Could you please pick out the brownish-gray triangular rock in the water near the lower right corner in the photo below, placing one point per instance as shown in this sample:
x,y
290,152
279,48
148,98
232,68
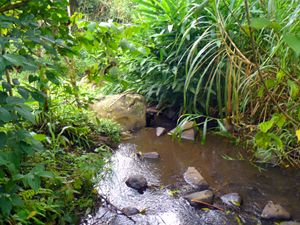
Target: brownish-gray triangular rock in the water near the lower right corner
x,y
274,211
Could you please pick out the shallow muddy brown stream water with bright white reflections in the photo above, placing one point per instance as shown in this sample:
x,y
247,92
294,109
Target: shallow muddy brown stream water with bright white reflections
x,y
165,174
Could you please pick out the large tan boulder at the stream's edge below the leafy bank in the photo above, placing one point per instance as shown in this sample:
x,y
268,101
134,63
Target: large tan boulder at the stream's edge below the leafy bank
x,y
129,110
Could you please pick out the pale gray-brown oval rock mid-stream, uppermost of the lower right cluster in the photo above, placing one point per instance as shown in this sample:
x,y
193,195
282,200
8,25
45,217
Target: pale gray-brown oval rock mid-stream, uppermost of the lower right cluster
x,y
194,178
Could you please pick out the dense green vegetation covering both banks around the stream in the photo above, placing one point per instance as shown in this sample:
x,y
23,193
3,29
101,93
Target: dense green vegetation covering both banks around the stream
x,y
235,61
